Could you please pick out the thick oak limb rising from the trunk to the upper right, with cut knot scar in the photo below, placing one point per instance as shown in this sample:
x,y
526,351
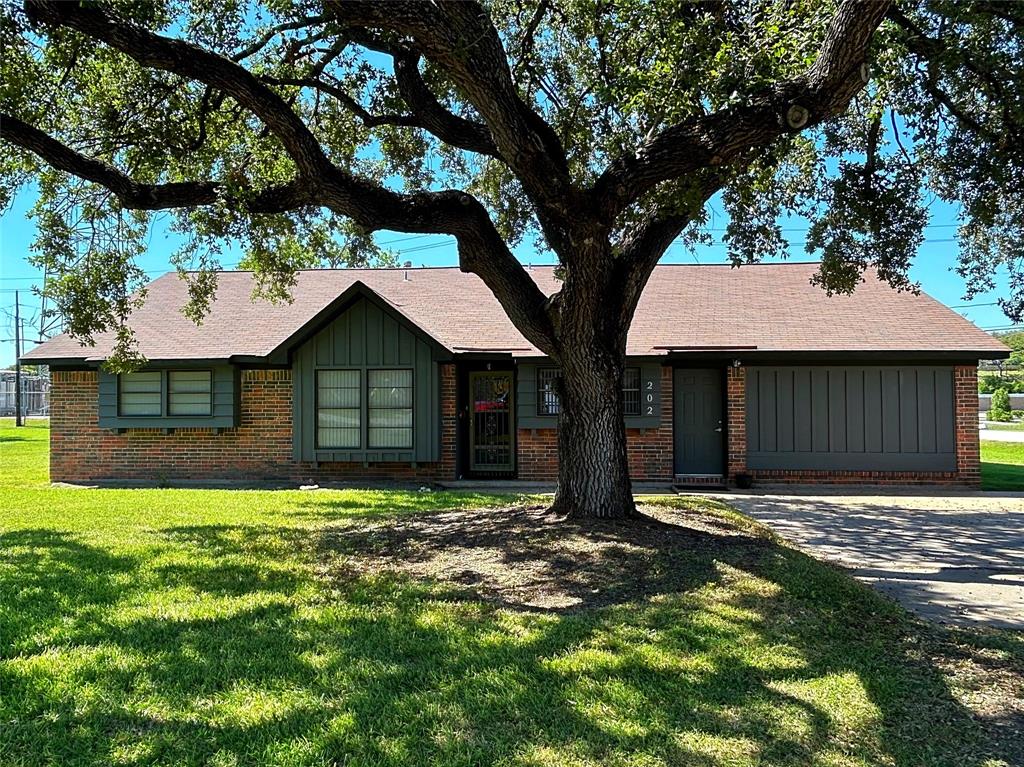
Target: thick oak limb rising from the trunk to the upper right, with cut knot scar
x,y
722,137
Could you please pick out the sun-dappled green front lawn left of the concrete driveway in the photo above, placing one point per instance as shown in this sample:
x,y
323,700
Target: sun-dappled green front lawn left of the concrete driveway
x,y
232,628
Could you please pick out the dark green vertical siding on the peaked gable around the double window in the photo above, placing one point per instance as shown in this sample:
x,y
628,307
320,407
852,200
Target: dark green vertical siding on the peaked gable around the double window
x,y
367,336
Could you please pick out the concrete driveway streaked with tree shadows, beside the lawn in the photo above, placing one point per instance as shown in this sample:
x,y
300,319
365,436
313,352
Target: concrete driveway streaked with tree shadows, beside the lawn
x,y
952,559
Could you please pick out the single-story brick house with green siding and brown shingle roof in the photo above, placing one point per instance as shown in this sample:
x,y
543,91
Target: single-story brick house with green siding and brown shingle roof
x,y
418,375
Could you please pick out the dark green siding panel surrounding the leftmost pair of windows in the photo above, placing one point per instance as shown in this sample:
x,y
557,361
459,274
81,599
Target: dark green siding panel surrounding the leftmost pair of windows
x,y
225,412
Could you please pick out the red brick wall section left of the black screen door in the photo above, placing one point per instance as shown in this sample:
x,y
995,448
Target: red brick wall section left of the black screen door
x,y
261,448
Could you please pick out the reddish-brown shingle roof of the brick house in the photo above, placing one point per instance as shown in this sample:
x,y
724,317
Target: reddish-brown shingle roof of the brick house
x,y
772,307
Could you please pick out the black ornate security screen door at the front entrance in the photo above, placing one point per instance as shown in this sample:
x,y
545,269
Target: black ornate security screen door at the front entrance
x,y
492,449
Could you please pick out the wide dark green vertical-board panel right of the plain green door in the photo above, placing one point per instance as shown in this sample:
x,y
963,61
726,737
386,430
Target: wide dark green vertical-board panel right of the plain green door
x,y
851,418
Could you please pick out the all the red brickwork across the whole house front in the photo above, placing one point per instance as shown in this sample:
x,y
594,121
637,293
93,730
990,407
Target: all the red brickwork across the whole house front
x,y
261,448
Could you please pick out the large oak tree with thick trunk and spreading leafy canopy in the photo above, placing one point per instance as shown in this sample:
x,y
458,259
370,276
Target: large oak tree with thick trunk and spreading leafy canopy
x,y
599,129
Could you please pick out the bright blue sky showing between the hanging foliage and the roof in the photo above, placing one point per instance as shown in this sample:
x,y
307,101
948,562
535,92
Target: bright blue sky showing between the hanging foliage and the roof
x,y
933,267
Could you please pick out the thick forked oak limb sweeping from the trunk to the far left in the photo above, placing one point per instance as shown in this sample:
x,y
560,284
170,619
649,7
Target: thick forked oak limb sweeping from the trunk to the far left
x,y
373,207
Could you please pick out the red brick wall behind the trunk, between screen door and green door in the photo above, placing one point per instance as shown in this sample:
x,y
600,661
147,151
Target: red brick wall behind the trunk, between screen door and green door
x,y
651,451
